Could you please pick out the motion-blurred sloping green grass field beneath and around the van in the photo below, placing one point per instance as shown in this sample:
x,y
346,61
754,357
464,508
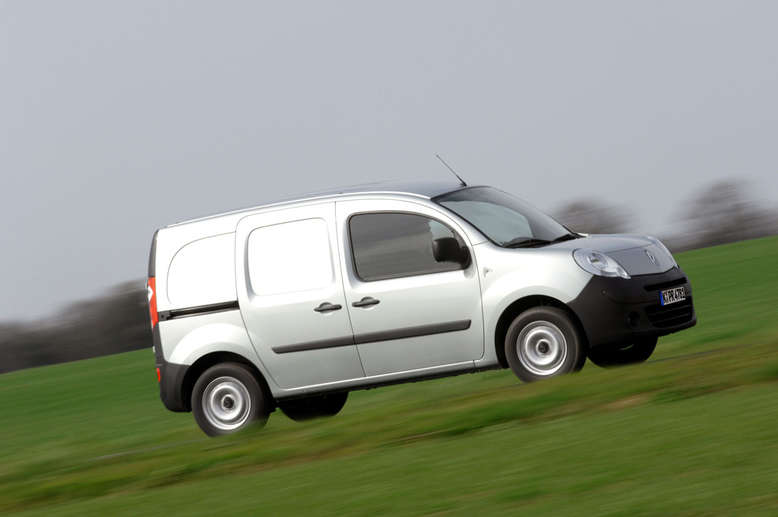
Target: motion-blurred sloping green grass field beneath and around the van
x,y
694,432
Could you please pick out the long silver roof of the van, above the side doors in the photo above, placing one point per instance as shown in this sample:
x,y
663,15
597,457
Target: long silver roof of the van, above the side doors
x,y
426,189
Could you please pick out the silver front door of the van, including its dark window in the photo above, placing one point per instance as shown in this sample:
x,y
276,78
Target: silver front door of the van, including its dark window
x,y
408,311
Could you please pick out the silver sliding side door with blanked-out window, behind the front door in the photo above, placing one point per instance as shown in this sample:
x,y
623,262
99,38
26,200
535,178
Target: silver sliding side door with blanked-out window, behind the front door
x,y
291,296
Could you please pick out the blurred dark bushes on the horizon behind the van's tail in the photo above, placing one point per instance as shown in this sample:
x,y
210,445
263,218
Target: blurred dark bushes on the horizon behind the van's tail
x,y
113,323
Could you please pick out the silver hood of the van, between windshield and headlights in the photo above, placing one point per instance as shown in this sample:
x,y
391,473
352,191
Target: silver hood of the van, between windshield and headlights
x,y
633,252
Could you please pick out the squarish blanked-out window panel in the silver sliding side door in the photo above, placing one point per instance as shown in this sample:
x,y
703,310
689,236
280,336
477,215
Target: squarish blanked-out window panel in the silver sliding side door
x,y
290,257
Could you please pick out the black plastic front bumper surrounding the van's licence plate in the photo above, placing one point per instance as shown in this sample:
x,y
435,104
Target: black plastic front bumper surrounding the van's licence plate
x,y
616,310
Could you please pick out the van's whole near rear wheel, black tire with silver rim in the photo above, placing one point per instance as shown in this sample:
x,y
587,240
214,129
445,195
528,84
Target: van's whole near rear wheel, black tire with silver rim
x,y
228,398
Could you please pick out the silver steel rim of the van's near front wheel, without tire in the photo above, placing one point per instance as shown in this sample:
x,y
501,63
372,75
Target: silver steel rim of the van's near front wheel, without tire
x,y
542,348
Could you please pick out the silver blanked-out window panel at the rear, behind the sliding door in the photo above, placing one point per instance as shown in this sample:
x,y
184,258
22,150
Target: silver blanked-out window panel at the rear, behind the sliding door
x,y
203,272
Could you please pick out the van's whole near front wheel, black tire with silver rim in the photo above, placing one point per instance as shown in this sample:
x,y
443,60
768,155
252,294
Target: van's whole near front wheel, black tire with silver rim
x,y
549,335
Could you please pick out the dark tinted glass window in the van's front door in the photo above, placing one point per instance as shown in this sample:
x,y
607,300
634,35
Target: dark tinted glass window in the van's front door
x,y
394,245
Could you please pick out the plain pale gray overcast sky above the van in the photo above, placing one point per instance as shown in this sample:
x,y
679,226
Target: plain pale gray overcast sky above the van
x,y
120,117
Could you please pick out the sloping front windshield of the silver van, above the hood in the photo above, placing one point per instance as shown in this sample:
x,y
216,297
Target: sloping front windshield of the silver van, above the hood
x,y
504,219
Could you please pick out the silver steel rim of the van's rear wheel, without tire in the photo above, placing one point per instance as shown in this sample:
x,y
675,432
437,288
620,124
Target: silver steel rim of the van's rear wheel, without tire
x,y
226,403
